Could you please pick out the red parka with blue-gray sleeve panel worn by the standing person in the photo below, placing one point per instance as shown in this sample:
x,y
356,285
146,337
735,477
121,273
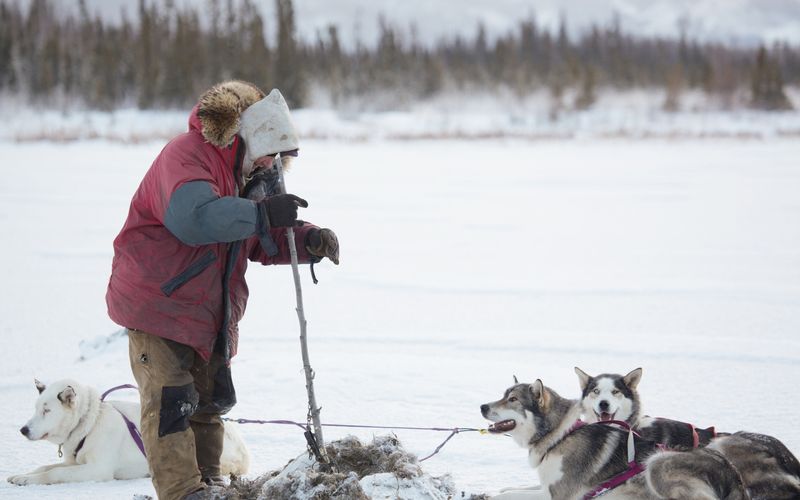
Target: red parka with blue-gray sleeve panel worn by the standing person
x,y
186,243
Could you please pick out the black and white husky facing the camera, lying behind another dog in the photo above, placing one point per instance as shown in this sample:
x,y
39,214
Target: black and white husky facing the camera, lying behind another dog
x,y
769,470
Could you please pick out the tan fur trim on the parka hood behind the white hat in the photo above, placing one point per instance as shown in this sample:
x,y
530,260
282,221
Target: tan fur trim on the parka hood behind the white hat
x,y
221,108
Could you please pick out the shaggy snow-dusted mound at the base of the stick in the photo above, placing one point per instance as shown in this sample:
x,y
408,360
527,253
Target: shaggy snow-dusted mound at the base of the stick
x,y
378,470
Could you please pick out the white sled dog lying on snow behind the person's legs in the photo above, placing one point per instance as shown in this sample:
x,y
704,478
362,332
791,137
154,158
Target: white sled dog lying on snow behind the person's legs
x,y
94,438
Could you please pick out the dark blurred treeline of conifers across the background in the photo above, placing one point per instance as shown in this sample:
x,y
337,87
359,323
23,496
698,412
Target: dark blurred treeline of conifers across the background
x,y
166,57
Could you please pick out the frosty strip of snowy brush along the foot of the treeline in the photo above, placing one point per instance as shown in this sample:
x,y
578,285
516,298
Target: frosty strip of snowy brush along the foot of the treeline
x,y
451,115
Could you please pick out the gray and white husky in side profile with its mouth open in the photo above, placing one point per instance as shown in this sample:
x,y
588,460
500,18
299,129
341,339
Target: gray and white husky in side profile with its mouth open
x,y
574,461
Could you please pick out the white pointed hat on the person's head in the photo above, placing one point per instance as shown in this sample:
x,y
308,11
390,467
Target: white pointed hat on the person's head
x,y
267,128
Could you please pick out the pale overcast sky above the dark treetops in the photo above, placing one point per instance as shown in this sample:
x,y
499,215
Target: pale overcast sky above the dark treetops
x,y
740,21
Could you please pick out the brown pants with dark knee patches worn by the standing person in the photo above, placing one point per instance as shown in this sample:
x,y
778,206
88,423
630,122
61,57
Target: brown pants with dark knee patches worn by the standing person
x,y
183,398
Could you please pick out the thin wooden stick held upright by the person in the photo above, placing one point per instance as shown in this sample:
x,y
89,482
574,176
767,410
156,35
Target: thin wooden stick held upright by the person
x,y
315,441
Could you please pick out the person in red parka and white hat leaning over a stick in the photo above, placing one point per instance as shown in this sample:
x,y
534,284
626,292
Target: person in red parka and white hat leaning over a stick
x,y
177,281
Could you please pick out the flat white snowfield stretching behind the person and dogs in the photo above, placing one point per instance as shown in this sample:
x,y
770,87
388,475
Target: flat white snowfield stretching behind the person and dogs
x,y
463,263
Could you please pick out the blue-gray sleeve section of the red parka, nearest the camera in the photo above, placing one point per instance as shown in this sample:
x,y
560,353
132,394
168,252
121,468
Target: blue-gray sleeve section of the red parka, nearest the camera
x,y
197,216
